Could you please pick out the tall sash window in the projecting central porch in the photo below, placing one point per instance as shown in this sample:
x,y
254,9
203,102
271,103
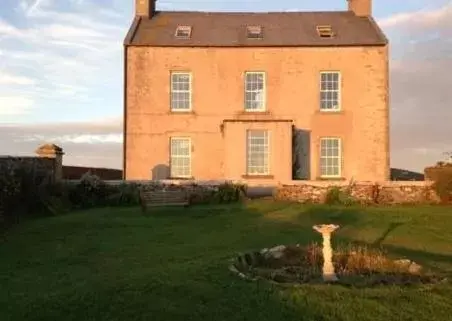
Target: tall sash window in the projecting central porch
x,y
257,152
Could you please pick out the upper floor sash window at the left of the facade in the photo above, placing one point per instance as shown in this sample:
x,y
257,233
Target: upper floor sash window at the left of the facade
x,y
180,91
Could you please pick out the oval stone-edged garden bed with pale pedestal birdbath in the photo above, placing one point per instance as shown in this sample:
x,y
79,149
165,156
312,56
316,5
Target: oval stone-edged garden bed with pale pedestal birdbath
x,y
348,265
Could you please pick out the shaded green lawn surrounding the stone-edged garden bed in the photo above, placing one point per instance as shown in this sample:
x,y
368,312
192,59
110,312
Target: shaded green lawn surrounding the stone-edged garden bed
x,y
116,264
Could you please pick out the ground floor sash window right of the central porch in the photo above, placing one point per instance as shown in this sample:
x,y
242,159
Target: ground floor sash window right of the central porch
x,y
330,157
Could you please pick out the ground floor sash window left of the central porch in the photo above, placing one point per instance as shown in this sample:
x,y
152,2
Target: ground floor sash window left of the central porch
x,y
180,157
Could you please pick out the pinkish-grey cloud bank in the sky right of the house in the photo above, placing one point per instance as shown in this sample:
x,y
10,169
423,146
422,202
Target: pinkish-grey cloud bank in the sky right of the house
x,y
421,99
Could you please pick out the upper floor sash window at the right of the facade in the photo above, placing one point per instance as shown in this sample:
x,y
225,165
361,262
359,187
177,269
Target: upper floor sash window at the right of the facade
x,y
330,91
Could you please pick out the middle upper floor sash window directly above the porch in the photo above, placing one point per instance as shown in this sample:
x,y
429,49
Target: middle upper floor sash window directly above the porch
x,y
255,91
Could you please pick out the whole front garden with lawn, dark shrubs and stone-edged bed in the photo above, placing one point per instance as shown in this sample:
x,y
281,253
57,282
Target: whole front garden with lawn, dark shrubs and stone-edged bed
x,y
85,251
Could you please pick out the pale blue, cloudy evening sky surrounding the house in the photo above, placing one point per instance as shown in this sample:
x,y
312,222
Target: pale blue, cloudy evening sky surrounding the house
x,y
61,73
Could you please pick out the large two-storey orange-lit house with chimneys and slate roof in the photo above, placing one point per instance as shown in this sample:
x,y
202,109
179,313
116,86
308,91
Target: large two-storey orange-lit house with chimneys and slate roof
x,y
264,97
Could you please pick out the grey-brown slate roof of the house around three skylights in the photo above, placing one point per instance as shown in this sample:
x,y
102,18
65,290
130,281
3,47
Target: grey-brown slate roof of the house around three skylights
x,y
280,29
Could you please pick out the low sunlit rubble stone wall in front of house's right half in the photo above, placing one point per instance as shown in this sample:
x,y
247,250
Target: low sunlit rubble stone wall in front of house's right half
x,y
388,193
